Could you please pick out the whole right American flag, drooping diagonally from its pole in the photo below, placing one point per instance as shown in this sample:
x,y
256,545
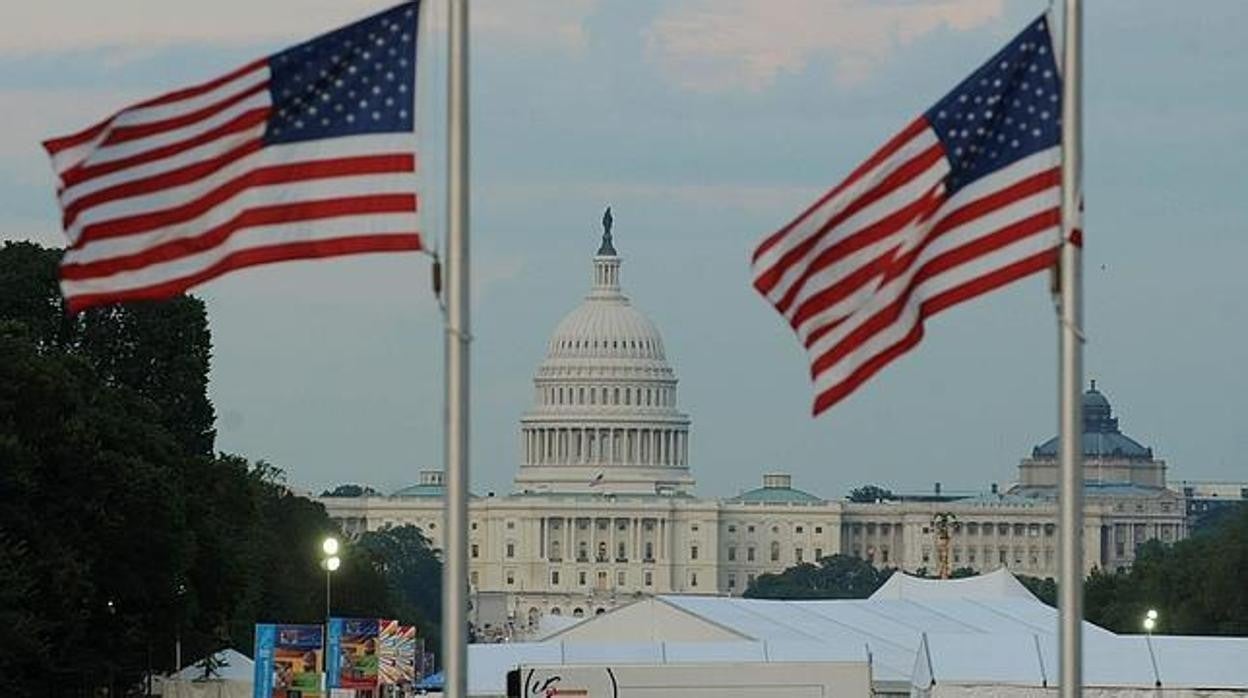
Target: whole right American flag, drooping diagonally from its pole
x,y
964,200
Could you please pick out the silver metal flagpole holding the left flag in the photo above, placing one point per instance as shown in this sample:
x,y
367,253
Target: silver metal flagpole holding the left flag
x,y
455,573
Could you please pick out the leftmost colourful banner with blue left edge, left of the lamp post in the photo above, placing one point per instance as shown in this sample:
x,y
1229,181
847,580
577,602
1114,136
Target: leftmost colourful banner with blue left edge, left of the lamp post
x,y
289,661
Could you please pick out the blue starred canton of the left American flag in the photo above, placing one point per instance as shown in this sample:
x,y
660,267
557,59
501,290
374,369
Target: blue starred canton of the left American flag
x,y
360,79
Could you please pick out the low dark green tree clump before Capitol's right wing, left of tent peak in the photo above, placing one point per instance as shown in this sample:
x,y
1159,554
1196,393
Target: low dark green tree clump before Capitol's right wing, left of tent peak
x,y
837,576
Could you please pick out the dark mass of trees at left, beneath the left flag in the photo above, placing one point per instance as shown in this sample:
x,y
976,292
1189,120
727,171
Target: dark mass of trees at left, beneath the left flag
x,y
123,531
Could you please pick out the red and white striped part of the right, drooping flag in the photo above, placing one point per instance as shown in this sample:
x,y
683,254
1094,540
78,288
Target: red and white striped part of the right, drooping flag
x,y
858,273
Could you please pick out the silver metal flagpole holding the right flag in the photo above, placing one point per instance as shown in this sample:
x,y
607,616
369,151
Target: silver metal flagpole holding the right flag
x,y
1070,601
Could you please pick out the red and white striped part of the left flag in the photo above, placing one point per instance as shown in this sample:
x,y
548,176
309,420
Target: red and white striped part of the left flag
x,y
182,189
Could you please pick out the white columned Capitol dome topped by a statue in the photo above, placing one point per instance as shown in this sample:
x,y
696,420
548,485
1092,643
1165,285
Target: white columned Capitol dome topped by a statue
x,y
605,416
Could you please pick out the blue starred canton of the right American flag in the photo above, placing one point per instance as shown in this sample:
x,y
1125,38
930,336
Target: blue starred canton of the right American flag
x,y
1007,111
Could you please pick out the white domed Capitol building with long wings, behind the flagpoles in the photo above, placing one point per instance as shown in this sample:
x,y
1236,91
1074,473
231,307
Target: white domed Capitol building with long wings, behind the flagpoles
x,y
605,506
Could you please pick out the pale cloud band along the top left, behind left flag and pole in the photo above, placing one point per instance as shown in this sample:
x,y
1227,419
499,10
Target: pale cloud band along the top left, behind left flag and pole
x,y
140,26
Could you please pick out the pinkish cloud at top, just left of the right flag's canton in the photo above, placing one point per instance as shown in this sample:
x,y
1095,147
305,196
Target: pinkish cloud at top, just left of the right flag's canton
x,y
721,46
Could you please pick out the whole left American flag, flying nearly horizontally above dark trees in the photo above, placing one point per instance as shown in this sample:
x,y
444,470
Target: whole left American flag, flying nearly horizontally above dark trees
x,y
308,153
